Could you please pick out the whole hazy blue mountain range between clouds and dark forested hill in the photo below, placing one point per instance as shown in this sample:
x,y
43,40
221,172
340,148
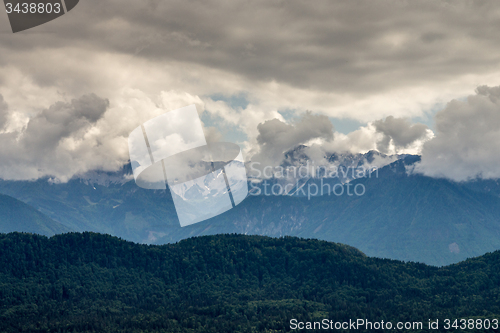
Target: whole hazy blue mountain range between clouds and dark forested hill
x,y
401,216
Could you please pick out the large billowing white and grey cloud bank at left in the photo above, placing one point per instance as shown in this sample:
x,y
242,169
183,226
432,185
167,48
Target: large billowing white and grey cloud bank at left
x,y
86,133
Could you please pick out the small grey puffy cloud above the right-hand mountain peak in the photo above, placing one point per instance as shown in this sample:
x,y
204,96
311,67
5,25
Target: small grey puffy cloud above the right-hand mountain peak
x,y
400,131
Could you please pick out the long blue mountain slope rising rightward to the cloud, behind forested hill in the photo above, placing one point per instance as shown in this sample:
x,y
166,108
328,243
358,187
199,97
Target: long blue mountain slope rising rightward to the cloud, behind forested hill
x,y
401,216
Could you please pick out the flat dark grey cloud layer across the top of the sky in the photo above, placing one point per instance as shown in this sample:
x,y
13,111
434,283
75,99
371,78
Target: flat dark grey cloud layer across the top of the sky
x,y
354,47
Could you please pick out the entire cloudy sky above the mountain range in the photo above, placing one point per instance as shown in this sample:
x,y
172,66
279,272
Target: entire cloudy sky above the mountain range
x,y
400,76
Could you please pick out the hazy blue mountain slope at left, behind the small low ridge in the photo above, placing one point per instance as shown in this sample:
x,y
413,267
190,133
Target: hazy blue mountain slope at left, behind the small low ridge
x,y
105,203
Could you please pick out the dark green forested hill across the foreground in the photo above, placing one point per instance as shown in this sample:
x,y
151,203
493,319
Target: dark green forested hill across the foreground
x,y
227,283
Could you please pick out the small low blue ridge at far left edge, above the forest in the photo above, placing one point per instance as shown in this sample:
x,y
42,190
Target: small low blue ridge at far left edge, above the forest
x,y
15,215
